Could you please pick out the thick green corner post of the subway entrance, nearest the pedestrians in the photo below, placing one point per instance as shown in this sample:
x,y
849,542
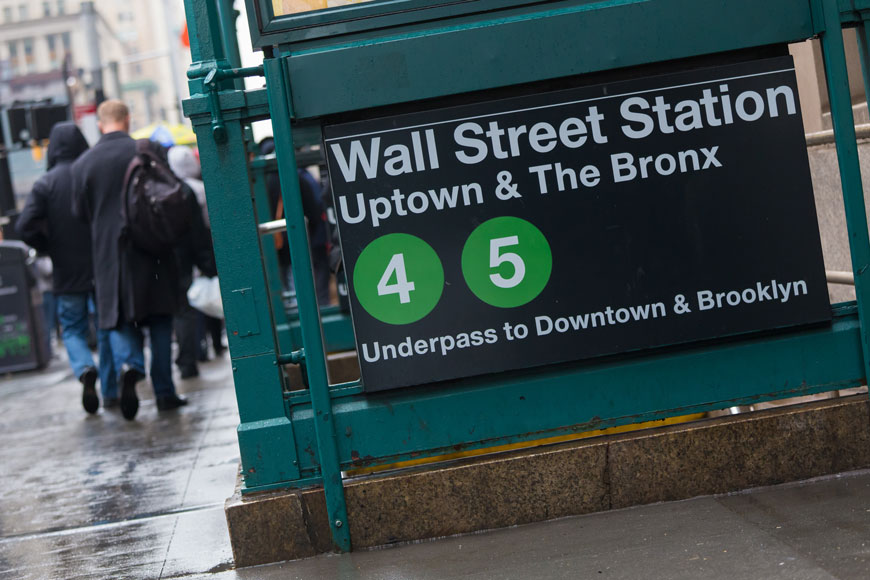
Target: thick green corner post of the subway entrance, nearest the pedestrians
x,y
266,438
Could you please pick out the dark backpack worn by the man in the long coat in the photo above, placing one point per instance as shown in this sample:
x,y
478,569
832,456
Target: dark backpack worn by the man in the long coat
x,y
156,209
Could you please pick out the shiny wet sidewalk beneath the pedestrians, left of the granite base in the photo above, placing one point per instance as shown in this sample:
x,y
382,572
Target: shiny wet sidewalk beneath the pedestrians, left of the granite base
x,y
100,497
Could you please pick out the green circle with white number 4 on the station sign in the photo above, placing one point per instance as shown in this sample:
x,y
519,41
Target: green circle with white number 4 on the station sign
x,y
398,278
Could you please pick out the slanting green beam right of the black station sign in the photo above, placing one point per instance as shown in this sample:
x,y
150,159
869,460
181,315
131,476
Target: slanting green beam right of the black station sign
x,y
834,55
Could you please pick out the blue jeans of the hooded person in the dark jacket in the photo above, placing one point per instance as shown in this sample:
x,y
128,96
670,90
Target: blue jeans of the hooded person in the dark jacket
x,y
72,312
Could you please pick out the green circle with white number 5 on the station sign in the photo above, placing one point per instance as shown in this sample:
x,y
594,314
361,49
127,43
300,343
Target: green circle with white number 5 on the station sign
x,y
506,262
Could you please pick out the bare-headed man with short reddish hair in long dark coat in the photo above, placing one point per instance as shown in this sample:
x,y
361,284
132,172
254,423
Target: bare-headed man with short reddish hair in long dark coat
x,y
134,289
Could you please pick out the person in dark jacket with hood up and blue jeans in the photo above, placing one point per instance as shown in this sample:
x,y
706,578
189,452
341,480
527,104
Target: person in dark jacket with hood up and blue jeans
x,y
46,224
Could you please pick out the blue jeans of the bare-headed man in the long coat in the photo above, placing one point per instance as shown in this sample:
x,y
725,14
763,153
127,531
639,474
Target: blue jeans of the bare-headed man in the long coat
x,y
128,348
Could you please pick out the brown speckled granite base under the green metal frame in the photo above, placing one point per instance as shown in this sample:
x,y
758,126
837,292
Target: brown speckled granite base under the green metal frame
x,y
706,457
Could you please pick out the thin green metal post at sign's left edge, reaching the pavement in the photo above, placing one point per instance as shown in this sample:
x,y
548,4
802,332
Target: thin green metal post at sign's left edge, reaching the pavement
x,y
309,315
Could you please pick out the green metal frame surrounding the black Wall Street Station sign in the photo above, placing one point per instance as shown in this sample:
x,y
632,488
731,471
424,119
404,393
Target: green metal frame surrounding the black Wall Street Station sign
x,y
307,437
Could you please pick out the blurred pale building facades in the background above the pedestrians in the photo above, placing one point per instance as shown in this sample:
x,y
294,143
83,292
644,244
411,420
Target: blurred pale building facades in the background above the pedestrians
x,y
64,50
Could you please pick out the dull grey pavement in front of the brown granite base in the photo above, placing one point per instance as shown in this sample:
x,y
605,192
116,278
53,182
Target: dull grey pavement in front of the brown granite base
x,y
818,530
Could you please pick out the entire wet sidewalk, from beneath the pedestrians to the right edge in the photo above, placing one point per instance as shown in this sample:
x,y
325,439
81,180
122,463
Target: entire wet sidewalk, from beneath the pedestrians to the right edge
x,y
100,497
